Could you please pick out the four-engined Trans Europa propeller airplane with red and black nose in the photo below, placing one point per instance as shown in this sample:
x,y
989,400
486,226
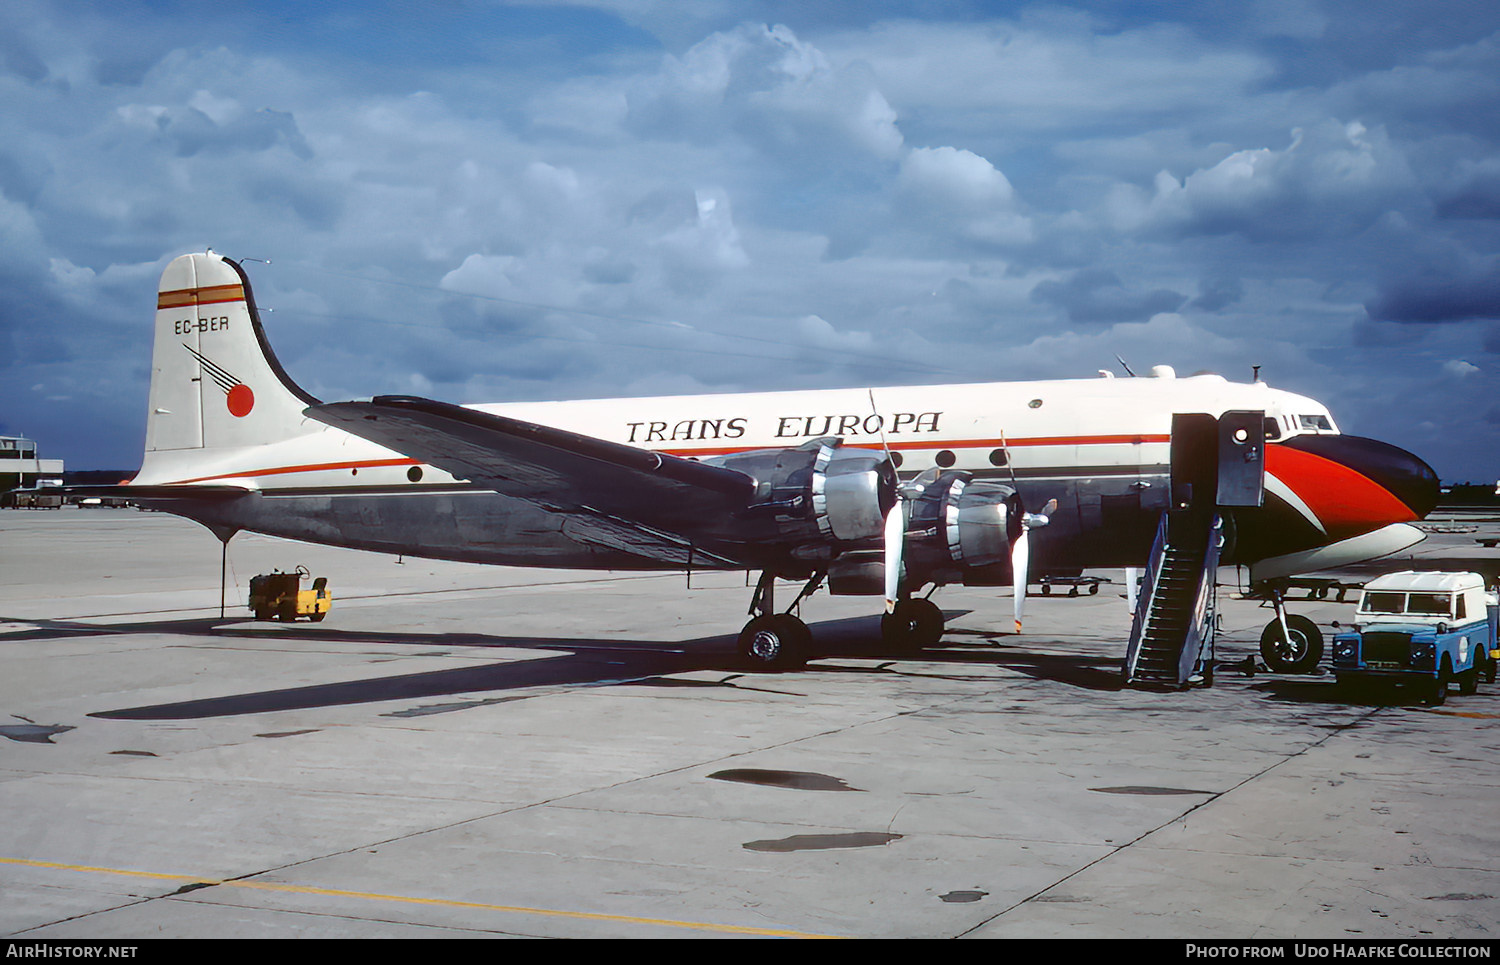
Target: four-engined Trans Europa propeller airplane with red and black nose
x,y
883,492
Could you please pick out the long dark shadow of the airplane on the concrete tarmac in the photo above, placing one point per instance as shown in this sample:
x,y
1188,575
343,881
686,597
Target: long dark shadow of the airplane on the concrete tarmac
x,y
581,663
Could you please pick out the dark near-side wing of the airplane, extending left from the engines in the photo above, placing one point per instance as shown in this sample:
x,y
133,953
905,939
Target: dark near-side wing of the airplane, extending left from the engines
x,y
616,496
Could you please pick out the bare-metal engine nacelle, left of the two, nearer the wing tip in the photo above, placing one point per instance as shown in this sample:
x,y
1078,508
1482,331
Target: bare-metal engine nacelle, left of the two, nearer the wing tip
x,y
842,495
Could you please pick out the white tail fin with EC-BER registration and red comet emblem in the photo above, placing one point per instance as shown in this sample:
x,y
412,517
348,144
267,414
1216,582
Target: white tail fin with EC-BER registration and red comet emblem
x,y
215,382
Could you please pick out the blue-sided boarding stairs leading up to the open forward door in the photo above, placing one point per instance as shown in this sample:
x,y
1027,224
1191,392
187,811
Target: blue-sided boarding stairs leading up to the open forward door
x,y
1172,630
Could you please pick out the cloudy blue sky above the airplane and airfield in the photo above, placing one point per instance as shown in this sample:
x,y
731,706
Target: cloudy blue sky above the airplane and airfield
x,y
485,202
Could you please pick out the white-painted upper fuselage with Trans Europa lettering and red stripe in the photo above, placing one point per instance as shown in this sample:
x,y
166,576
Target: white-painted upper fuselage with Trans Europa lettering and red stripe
x,y
1033,428
